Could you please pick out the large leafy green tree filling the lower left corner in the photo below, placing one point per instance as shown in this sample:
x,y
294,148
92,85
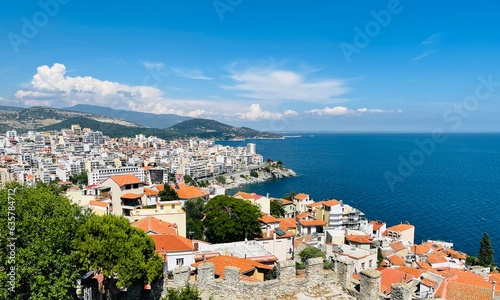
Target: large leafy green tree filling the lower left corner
x,y
36,225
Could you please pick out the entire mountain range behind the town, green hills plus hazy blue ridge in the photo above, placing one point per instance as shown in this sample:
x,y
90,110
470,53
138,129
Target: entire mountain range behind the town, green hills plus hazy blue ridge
x,y
121,123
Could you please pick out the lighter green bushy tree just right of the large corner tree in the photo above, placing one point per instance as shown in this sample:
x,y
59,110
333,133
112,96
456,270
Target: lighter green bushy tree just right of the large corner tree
x,y
109,245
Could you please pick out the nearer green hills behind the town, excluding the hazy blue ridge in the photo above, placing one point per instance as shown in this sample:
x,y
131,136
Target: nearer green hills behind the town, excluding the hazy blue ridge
x,y
47,118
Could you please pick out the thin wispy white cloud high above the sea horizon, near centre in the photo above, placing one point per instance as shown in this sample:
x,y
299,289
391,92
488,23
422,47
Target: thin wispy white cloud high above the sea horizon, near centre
x,y
271,84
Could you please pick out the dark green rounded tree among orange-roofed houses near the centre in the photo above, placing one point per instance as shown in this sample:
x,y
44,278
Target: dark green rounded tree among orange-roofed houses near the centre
x,y
228,219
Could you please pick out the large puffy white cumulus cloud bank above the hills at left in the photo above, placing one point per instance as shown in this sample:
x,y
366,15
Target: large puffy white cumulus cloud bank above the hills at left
x,y
51,86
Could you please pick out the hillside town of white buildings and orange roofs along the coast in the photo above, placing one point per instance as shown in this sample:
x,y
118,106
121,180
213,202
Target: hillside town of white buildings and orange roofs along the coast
x,y
370,259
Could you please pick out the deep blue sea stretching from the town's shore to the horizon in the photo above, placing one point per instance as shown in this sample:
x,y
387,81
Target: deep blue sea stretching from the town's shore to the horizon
x,y
447,187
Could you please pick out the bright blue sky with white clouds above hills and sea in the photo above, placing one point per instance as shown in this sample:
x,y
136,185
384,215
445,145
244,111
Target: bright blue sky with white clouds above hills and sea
x,y
270,65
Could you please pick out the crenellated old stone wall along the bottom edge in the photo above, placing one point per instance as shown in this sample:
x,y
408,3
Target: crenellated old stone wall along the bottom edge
x,y
317,284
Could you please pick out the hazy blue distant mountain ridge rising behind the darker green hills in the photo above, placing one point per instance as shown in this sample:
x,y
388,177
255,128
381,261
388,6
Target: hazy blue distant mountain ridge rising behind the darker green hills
x,y
141,118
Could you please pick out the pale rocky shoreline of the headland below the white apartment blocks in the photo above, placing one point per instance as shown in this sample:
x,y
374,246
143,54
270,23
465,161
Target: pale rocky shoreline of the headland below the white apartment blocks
x,y
266,173
